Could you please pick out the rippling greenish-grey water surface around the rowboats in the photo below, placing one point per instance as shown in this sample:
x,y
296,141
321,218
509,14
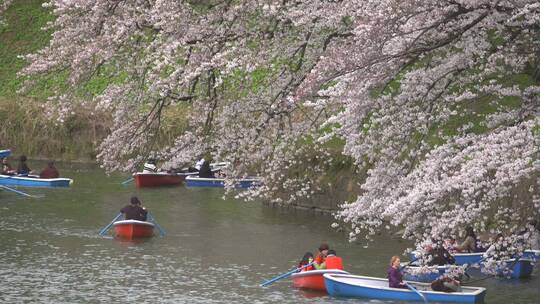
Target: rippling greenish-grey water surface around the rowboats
x,y
215,250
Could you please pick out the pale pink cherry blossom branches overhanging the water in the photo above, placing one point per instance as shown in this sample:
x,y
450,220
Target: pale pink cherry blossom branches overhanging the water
x,y
438,101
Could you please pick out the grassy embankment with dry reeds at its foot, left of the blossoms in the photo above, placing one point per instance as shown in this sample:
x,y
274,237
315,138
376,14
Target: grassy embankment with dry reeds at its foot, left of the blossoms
x,y
25,127
